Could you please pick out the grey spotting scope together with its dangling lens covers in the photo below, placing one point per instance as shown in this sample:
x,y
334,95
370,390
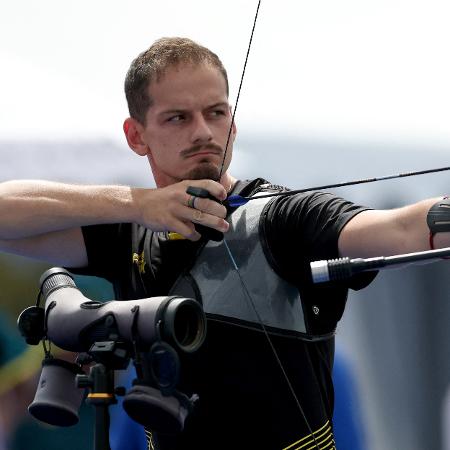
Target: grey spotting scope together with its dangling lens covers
x,y
151,330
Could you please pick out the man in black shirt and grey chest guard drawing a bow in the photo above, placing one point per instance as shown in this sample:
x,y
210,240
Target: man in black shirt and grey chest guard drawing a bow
x,y
260,386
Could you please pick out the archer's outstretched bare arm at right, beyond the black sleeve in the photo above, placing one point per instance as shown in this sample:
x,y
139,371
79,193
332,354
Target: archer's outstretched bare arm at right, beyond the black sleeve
x,y
390,232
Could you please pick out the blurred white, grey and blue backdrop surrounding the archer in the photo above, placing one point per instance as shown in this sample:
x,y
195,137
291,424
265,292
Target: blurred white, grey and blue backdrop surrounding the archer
x,y
333,91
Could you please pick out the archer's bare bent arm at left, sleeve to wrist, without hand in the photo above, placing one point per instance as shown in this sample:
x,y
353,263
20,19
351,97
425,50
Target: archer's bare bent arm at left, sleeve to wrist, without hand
x,y
42,219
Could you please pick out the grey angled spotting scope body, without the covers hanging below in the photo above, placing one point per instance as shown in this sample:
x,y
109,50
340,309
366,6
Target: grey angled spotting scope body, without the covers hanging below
x,y
74,322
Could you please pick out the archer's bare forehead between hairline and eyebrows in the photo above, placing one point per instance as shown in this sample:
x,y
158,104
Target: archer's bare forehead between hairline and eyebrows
x,y
188,84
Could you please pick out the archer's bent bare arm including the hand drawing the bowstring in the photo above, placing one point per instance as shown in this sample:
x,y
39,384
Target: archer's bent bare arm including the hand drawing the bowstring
x,y
42,219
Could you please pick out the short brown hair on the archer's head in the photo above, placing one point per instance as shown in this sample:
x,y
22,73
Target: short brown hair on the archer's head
x,y
152,63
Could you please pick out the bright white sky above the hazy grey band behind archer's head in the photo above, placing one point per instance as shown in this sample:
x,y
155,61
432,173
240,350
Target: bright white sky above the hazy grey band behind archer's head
x,y
376,70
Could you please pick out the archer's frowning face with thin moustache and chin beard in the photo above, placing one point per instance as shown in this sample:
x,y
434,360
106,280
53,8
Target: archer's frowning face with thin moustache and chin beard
x,y
187,125
